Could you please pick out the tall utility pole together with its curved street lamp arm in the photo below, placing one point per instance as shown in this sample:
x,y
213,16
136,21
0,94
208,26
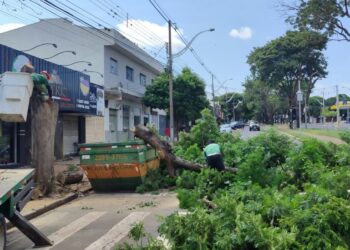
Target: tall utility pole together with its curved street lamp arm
x,y
170,70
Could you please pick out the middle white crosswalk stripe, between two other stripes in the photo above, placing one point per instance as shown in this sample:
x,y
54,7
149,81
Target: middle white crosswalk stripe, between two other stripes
x,y
65,232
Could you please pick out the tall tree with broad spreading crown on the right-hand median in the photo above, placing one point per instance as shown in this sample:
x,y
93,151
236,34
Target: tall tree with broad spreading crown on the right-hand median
x,y
282,62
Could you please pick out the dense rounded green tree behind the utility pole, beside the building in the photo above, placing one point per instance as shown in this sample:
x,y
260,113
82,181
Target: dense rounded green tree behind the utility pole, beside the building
x,y
188,96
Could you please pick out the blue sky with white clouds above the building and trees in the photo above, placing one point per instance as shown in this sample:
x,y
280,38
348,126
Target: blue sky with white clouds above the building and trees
x,y
250,23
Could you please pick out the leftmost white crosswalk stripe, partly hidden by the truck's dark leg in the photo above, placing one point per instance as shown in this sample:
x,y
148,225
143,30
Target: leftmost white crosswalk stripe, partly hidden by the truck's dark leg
x,y
15,235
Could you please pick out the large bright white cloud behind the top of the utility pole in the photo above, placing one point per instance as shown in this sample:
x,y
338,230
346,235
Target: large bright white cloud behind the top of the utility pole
x,y
147,34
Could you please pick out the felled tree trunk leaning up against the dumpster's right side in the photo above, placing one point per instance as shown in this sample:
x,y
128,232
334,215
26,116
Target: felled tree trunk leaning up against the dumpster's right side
x,y
165,152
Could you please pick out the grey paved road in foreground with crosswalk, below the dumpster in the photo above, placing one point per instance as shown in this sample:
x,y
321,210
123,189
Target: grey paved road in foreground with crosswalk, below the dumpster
x,y
98,221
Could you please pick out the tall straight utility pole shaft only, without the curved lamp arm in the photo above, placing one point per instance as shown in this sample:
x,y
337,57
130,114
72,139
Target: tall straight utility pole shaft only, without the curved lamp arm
x,y
170,70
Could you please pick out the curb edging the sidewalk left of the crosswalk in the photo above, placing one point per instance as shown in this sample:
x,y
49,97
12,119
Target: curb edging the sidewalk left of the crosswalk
x,y
50,207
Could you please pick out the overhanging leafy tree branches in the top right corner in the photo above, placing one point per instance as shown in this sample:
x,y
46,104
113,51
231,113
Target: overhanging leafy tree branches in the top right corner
x,y
331,17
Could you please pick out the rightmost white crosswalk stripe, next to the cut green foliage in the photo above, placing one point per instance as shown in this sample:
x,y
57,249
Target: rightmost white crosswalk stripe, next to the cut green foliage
x,y
118,232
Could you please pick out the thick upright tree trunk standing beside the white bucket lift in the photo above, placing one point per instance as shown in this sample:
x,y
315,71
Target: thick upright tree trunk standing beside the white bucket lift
x,y
44,119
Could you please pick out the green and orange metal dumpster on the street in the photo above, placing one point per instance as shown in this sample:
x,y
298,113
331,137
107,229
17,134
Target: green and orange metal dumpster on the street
x,y
117,166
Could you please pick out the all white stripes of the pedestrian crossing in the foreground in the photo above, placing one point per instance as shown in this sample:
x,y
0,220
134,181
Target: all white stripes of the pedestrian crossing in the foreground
x,y
107,241
